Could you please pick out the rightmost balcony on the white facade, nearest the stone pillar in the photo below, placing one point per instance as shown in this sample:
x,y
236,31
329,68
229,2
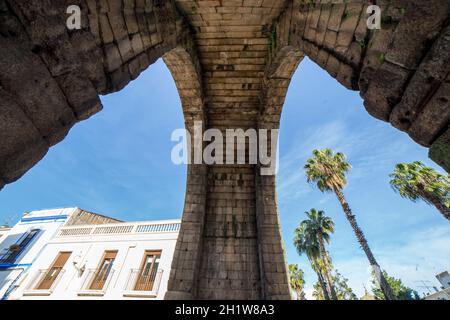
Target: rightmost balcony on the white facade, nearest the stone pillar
x,y
140,285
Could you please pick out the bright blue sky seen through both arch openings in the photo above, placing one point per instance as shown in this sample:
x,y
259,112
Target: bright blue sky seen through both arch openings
x,y
118,163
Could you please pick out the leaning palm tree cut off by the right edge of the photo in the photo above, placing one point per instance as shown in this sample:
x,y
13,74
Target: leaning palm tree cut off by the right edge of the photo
x,y
415,181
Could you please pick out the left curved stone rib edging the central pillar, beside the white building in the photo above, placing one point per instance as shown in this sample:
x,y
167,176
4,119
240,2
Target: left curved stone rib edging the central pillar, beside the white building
x,y
185,69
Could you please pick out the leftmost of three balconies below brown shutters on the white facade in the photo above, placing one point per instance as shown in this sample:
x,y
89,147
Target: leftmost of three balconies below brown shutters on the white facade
x,y
43,282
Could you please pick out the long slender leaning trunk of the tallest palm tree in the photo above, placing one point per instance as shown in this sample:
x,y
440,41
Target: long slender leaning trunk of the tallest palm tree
x,y
384,285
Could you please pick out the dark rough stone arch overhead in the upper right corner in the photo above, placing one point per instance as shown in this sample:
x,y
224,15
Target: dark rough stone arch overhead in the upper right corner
x,y
401,71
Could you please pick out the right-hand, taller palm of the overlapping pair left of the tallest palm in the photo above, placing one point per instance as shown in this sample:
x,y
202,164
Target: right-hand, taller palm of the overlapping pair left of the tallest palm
x,y
321,226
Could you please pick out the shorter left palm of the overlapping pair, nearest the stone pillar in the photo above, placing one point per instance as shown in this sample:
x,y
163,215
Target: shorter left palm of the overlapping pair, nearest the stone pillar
x,y
305,243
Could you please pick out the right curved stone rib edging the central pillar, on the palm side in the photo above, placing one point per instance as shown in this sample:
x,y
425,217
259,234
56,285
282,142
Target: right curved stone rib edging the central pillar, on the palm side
x,y
272,260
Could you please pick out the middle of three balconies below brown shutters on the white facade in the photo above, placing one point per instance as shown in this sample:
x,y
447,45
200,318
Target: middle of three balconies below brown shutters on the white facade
x,y
96,282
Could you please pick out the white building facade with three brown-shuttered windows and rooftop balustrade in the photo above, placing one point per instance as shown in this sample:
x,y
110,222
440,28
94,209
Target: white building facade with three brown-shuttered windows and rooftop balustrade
x,y
103,261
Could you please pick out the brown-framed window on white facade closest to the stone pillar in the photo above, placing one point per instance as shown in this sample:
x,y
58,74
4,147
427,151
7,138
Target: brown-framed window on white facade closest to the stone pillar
x,y
147,273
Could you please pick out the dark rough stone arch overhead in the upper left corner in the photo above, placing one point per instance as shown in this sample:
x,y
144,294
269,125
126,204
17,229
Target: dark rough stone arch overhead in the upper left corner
x,y
52,77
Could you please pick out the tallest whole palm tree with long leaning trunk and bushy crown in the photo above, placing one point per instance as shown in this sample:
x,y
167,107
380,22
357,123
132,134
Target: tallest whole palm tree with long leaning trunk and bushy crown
x,y
327,171
